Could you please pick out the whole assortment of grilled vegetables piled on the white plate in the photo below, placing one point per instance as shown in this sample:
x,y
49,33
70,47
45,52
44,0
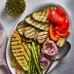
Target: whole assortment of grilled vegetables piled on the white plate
x,y
35,41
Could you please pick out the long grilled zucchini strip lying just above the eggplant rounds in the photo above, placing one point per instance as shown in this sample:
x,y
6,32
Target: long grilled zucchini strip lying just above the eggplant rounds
x,y
41,26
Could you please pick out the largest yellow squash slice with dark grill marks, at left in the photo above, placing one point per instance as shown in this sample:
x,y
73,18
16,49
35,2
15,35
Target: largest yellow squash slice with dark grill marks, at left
x,y
18,51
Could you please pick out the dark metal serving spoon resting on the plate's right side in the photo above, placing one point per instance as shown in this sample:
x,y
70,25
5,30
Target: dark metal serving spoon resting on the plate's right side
x,y
62,53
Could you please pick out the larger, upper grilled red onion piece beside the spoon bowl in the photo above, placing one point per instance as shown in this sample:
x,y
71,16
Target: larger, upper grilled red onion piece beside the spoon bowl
x,y
50,48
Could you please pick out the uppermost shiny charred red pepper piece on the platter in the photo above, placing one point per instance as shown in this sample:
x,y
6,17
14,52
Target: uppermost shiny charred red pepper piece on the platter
x,y
56,18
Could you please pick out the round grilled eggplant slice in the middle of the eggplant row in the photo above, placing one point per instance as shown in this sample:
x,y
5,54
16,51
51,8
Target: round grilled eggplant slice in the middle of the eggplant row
x,y
29,32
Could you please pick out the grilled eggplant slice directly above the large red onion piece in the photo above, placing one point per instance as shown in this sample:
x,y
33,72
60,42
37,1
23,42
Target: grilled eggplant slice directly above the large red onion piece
x,y
42,36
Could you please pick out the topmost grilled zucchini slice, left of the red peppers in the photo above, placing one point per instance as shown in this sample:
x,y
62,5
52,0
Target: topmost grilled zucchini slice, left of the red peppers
x,y
42,14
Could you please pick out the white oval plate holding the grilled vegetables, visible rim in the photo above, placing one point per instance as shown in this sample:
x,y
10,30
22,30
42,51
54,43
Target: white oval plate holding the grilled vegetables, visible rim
x,y
8,50
